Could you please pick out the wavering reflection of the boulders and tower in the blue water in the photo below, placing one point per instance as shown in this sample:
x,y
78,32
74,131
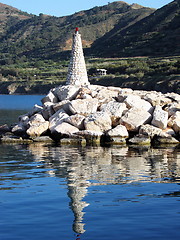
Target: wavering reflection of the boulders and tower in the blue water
x,y
84,167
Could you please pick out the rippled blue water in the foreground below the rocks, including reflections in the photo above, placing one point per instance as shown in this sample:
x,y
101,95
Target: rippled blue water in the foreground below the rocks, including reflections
x,y
61,192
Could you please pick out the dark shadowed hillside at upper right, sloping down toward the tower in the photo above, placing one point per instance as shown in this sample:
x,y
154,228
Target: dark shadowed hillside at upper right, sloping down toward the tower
x,y
155,35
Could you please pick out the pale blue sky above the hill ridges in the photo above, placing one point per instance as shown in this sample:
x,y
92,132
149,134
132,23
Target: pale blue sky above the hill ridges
x,y
67,7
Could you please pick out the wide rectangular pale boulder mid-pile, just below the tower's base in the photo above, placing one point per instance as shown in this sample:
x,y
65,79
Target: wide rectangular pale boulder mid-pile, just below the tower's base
x,y
83,106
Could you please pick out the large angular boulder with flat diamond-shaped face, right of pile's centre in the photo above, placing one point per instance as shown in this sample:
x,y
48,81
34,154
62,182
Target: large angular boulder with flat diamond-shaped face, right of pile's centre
x,y
134,118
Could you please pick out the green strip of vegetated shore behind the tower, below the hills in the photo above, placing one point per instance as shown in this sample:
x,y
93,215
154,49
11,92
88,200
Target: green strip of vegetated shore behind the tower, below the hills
x,y
160,74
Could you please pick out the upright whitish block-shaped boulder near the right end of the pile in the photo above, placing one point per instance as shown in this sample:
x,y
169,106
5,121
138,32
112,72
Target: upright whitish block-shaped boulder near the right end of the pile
x,y
160,118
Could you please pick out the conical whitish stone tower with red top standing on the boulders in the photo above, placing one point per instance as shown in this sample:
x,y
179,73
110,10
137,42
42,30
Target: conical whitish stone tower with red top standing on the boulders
x,y
77,74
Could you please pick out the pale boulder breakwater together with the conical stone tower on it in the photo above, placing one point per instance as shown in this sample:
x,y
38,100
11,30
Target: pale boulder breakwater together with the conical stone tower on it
x,y
85,114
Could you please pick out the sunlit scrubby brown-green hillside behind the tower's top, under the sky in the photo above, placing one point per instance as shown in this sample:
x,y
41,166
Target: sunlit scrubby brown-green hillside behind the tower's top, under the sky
x,y
46,36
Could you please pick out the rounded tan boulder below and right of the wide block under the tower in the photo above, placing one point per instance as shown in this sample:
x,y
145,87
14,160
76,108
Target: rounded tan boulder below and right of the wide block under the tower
x,y
99,121
